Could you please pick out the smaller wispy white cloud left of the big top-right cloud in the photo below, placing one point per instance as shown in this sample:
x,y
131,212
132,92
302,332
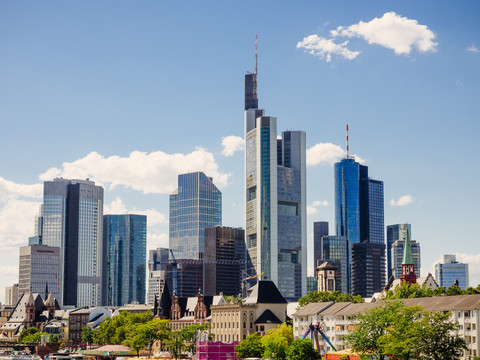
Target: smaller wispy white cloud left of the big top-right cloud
x,y
325,48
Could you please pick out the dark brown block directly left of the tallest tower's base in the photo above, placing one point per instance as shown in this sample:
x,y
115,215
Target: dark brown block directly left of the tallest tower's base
x,y
225,260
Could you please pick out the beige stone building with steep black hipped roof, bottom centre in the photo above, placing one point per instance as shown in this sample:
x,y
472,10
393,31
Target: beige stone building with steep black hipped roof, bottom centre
x,y
264,309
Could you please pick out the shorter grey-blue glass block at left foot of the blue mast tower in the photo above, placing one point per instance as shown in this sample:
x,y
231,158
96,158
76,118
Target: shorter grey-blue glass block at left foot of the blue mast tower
x,y
335,250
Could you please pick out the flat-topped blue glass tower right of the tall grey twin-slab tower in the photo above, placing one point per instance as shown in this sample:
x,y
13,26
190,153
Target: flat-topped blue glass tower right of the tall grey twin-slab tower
x,y
125,238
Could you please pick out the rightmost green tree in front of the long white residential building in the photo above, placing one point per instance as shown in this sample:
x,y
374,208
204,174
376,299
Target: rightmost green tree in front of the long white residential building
x,y
434,339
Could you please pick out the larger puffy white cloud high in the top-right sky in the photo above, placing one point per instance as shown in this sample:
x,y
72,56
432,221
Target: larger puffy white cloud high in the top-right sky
x,y
393,32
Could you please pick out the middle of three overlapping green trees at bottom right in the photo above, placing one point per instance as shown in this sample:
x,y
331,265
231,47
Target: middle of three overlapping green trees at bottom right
x,y
400,340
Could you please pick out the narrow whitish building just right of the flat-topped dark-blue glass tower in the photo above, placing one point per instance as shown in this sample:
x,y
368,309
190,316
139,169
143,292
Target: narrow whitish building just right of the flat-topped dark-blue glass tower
x,y
157,262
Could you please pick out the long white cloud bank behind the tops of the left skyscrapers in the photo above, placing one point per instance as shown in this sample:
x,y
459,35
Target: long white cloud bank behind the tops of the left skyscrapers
x,y
154,172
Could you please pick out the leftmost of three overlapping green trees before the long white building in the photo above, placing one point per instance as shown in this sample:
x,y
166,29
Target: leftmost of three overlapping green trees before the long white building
x,y
371,325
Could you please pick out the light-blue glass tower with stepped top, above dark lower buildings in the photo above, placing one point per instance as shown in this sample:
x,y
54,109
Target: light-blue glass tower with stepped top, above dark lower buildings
x,y
194,206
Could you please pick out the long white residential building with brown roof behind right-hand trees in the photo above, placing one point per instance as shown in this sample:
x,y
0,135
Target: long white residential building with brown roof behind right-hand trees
x,y
339,318
